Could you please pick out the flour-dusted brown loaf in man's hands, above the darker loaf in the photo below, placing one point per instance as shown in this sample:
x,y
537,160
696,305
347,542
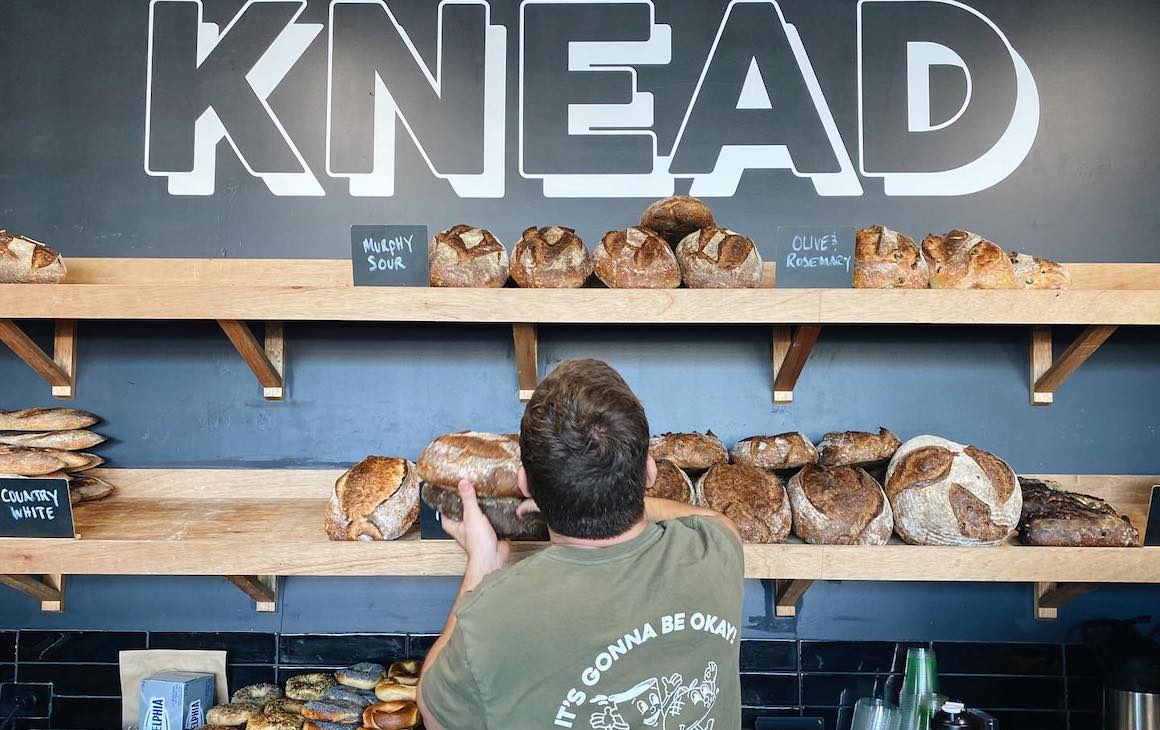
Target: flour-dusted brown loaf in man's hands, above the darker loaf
x,y
490,461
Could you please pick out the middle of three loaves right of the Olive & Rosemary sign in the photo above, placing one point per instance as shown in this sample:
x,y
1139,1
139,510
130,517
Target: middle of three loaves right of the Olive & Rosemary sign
x,y
966,261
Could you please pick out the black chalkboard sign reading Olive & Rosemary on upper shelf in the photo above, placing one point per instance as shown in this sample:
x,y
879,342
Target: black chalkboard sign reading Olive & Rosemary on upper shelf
x,y
811,257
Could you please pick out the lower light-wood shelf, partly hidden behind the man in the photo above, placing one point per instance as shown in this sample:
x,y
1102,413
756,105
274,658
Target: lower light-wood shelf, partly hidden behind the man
x,y
270,523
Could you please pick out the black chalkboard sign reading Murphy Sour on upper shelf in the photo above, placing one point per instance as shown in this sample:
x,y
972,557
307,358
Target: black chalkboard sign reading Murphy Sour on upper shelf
x,y
389,256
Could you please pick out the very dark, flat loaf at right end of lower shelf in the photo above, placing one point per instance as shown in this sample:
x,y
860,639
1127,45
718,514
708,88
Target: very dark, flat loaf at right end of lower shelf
x,y
1055,517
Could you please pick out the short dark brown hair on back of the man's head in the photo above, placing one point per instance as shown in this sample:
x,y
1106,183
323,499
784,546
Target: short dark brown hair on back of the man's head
x,y
584,442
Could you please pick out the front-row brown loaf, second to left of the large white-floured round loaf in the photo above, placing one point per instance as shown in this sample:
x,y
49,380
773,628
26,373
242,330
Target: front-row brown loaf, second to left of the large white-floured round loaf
x,y
753,498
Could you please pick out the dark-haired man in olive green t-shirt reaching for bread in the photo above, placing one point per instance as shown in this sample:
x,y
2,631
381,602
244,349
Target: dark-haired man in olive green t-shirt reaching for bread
x,y
629,620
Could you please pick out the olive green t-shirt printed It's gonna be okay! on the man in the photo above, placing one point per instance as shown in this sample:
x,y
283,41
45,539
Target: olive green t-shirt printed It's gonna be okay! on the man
x,y
641,635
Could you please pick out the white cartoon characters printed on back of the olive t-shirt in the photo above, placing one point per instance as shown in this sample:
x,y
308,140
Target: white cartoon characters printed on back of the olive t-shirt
x,y
661,704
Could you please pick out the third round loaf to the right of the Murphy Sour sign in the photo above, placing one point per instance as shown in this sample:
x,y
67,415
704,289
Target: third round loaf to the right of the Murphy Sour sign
x,y
636,259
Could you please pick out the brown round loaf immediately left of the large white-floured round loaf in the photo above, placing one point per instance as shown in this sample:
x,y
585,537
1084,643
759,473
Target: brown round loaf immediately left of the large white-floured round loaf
x,y
839,507
